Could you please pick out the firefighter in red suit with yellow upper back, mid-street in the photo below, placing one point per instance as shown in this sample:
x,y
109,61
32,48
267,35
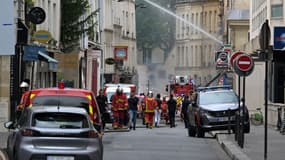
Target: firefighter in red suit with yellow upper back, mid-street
x,y
150,105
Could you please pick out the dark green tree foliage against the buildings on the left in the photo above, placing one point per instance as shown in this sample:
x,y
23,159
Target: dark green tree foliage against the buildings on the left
x,y
75,23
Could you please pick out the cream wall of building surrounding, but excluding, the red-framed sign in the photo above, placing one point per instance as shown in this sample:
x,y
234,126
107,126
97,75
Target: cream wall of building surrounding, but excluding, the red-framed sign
x,y
119,30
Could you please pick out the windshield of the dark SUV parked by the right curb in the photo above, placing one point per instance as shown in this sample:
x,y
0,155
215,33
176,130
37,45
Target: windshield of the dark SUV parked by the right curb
x,y
217,97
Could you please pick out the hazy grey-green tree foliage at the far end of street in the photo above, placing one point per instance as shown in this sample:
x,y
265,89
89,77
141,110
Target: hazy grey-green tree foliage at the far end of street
x,y
155,28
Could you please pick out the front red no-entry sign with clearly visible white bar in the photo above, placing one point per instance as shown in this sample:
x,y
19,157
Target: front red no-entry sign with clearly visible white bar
x,y
244,63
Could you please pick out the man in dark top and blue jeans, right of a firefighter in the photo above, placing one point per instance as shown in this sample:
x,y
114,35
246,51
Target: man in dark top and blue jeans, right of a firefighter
x,y
133,109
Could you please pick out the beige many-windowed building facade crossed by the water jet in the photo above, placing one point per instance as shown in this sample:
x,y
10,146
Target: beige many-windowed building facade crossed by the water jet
x,y
195,48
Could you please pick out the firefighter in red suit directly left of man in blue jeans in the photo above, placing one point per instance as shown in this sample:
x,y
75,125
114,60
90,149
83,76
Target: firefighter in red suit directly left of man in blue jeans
x,y
119,109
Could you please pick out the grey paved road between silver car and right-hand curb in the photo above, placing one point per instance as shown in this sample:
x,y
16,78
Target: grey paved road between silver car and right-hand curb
x,y
162,143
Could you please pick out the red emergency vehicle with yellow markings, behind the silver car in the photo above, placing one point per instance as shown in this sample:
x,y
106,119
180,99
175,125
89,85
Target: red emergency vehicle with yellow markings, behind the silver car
x,y
61,96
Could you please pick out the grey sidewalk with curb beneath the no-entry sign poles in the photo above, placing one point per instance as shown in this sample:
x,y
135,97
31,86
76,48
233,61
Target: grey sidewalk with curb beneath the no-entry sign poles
x,y
254,145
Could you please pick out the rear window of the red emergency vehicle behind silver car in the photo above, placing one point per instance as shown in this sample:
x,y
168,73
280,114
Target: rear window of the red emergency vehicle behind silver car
x,y
74,101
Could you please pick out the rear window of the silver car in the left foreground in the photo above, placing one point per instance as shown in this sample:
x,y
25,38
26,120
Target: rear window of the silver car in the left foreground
x,y
60,120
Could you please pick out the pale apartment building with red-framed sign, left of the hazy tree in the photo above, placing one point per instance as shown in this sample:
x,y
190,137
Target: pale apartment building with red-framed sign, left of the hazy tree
x,y
118,39
